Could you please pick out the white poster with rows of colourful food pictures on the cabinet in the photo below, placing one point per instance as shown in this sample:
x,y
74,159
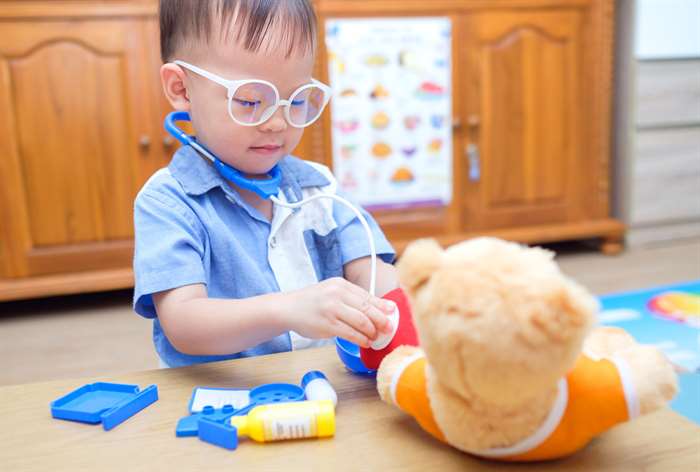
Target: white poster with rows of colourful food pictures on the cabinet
x,y
391,111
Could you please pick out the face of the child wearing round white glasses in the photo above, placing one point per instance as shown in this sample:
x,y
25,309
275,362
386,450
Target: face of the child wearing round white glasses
x,y
250,149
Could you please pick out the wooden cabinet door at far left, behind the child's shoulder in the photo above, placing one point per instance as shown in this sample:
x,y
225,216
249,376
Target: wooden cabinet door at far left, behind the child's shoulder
x,y
73,107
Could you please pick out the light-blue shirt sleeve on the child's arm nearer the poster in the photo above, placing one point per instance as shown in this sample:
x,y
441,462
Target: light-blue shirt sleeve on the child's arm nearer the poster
x,y
352,235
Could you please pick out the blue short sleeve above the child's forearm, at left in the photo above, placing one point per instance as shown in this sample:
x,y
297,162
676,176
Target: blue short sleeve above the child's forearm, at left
x,y
169,248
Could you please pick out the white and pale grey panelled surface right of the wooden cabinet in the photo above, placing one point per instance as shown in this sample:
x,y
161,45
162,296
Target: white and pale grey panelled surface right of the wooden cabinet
x,y
660,167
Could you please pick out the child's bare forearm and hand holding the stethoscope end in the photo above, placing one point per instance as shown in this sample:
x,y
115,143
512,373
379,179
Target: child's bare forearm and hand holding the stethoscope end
x,y
198,325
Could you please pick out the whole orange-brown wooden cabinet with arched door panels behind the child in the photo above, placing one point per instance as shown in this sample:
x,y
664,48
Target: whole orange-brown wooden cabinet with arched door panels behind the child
x,y
81,114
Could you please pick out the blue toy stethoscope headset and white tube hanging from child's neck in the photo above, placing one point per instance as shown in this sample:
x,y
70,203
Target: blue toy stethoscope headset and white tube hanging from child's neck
x,y
266,188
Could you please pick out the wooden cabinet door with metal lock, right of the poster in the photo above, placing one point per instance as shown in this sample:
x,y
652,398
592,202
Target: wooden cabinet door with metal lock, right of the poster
x,y
523,103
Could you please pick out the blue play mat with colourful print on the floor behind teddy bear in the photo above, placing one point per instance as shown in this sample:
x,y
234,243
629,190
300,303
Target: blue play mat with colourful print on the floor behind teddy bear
x,y
669,318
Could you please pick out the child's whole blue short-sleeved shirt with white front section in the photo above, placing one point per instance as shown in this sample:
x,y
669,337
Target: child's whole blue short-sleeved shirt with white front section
x,y
191,227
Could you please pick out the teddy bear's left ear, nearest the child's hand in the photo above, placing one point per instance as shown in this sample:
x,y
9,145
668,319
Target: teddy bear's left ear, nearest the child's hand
x,y
418,263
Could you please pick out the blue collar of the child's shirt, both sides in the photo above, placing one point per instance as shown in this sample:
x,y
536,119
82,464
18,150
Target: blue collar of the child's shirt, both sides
x,y
197,176
